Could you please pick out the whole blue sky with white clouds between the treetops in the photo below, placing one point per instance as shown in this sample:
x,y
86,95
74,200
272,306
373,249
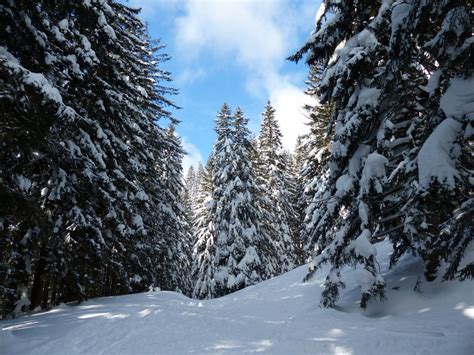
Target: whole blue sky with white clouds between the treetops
x,y
232,51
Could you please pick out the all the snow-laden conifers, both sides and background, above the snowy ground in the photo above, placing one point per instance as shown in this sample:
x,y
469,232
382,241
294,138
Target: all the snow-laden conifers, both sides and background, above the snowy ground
x,y
92,196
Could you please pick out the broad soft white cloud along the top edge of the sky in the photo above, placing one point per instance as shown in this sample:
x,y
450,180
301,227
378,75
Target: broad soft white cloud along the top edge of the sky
x,y
247,29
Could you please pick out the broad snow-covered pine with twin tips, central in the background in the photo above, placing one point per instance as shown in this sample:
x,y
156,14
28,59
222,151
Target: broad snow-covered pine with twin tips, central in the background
x,y
233,249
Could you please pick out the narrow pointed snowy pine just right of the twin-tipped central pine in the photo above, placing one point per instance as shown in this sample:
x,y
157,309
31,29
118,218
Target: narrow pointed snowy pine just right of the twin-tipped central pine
x,y
275,183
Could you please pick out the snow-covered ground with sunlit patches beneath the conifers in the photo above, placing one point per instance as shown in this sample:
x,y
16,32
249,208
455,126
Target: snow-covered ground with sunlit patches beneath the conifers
x,y
277,316
